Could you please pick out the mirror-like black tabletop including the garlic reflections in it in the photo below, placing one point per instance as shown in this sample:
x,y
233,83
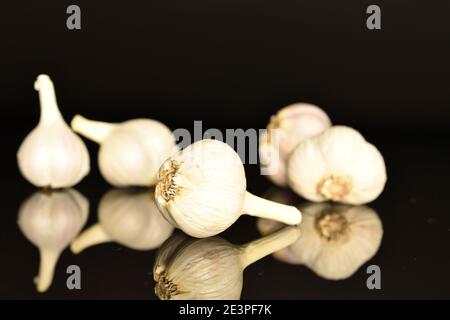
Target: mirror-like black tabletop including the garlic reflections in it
x,y
123,242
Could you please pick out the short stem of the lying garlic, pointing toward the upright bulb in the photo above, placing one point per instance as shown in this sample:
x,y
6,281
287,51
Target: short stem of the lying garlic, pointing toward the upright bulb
x,y
93,130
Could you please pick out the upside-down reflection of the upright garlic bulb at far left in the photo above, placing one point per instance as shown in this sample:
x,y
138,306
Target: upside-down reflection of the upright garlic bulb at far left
x,y
50,220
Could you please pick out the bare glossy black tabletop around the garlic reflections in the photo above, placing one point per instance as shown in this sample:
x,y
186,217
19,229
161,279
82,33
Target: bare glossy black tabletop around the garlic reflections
x,y
413,255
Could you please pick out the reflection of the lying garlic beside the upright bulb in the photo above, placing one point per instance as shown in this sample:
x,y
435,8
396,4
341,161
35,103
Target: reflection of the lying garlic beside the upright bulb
x,y
129,217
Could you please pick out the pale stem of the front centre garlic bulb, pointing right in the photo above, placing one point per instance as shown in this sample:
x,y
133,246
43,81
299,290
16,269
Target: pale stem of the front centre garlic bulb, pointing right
x,y
263,208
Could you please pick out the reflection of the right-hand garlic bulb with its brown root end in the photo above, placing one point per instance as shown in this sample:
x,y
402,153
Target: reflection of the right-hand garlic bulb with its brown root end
x,y
336,239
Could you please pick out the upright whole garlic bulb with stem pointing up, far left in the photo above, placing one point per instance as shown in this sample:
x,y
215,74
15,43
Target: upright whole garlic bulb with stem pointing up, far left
x,y
52,155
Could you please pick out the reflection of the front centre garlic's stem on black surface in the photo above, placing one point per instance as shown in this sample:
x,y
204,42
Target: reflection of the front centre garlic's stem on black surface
x,y
260,248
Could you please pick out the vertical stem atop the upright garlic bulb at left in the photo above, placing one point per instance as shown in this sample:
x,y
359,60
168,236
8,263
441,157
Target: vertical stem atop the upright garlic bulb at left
x,y
47,98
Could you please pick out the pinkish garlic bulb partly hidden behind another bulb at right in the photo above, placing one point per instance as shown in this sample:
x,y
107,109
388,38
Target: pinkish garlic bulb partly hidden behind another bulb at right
x,y
286,129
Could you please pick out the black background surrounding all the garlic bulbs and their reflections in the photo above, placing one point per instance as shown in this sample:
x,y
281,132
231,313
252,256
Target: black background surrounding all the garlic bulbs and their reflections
x,y
232,64
